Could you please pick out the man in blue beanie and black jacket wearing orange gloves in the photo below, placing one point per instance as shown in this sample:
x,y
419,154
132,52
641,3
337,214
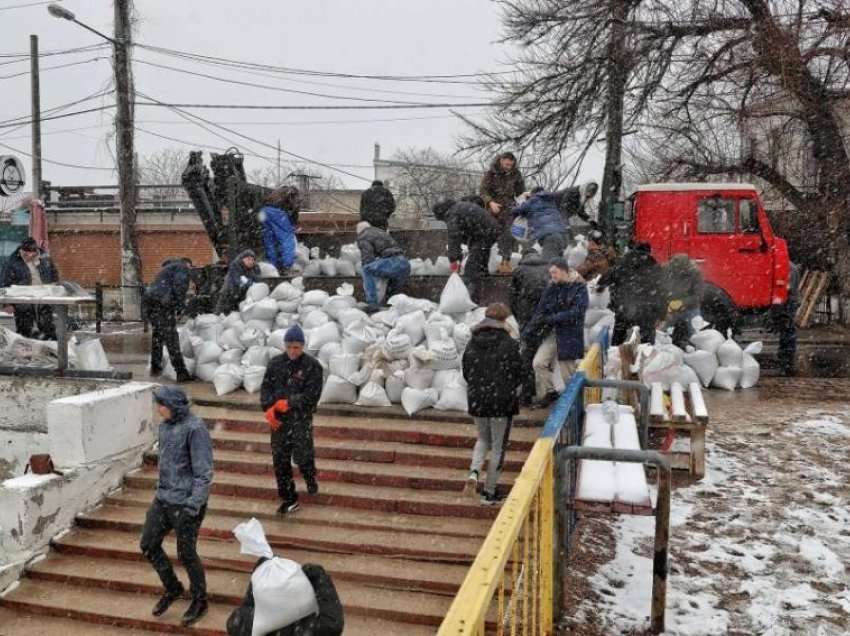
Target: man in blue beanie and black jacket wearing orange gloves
x,y
289,395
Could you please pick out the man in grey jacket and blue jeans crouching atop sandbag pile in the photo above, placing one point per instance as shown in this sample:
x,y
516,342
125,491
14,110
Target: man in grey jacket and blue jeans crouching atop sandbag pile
x,y
382,258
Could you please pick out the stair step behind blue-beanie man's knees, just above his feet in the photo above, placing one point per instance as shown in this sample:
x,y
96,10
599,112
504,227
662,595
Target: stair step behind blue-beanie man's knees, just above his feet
x,y
366,450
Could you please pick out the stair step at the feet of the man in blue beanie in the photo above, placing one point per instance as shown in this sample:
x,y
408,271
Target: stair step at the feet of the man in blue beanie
x,y
401,500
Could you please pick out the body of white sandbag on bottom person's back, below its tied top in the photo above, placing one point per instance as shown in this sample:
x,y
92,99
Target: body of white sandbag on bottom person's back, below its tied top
x,y
278,579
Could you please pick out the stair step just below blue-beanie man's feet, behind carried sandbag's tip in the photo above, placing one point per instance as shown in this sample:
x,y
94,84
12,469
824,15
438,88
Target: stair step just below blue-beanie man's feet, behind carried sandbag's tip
x,y
284,534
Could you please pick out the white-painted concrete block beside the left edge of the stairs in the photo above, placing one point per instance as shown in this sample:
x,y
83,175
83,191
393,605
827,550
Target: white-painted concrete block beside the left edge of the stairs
x,y
96,426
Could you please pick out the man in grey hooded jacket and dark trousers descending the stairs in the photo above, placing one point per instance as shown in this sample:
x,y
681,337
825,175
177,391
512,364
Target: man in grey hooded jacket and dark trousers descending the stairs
x,y
185,473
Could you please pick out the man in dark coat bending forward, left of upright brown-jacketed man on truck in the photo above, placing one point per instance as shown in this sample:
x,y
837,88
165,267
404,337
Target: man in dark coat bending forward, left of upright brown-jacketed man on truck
x,y
471,224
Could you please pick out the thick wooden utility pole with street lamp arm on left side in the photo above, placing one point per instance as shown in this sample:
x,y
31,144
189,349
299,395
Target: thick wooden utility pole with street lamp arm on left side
x,y
124,97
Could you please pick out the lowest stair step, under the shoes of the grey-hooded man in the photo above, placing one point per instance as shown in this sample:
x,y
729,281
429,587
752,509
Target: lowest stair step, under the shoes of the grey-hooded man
x,y
124,609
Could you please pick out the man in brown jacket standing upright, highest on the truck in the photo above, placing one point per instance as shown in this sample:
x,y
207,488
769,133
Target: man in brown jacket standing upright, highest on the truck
x,y
500,187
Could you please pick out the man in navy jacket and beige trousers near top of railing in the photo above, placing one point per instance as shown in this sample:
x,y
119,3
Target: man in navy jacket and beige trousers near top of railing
x,y
557,329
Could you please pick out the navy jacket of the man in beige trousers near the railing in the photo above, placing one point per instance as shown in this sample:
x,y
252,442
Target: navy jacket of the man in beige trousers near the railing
x,y
561,309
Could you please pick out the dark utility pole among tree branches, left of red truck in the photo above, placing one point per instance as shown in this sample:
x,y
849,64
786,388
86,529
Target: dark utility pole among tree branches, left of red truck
x,y
612,177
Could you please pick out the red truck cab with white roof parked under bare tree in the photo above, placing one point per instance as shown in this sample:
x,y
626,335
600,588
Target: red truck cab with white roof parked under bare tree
x,y
724,229
